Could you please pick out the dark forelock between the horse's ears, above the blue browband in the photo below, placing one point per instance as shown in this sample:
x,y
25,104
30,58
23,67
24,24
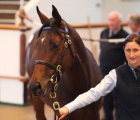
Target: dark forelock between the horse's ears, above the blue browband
x,y
51,22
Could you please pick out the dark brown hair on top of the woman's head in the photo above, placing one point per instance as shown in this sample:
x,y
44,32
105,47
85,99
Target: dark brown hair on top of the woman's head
x,y
131,38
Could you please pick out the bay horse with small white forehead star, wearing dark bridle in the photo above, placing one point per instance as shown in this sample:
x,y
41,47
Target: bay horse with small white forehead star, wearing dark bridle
x,y
59,64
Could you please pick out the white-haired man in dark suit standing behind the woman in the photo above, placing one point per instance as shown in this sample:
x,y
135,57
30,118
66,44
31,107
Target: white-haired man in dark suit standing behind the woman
x,y
111,56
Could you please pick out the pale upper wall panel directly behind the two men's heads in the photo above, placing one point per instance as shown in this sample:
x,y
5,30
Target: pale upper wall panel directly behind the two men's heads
x,y
125,7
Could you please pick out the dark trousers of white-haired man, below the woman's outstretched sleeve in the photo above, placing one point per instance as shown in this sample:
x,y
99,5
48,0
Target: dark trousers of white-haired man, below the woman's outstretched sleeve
x,y
109,105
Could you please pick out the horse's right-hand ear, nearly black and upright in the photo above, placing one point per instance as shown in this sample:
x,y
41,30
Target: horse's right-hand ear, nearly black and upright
x,y
56,15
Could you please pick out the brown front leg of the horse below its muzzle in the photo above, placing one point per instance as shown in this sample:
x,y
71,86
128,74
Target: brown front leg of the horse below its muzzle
x,y
39,108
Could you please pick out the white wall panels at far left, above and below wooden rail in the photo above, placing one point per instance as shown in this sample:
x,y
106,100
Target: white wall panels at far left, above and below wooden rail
x,y
11,90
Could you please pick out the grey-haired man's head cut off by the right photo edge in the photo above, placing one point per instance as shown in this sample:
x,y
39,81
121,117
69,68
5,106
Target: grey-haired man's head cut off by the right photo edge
x,y
134,22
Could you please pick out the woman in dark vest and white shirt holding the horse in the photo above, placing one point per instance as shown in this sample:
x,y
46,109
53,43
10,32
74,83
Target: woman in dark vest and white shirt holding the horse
x,y
126,80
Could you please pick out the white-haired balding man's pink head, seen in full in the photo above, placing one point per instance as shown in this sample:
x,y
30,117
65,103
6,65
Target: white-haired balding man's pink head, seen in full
x,y
114,20
